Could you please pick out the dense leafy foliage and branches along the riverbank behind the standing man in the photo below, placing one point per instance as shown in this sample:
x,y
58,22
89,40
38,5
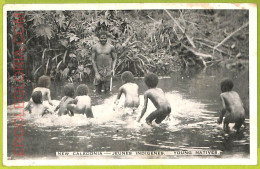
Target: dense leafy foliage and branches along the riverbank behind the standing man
x,y
58,43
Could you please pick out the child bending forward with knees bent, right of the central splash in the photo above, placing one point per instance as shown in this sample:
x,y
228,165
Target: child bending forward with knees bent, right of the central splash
x,y
157,97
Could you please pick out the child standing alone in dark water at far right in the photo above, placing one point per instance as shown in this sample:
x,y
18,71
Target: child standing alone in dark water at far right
x,y
233,109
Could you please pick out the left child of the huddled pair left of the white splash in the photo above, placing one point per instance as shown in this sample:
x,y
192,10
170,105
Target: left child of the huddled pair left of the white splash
x,y
67,99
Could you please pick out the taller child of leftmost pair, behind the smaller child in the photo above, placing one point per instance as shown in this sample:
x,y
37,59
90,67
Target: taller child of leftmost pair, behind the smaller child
x,y
44,83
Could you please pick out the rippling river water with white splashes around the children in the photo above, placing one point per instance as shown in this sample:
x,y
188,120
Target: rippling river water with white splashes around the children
x,y
194,99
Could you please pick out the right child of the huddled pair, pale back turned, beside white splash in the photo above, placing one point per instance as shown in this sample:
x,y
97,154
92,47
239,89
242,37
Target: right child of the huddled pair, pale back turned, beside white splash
x,y
82,103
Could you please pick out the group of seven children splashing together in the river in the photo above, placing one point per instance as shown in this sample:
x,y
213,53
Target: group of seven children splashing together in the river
x,y
232,110
